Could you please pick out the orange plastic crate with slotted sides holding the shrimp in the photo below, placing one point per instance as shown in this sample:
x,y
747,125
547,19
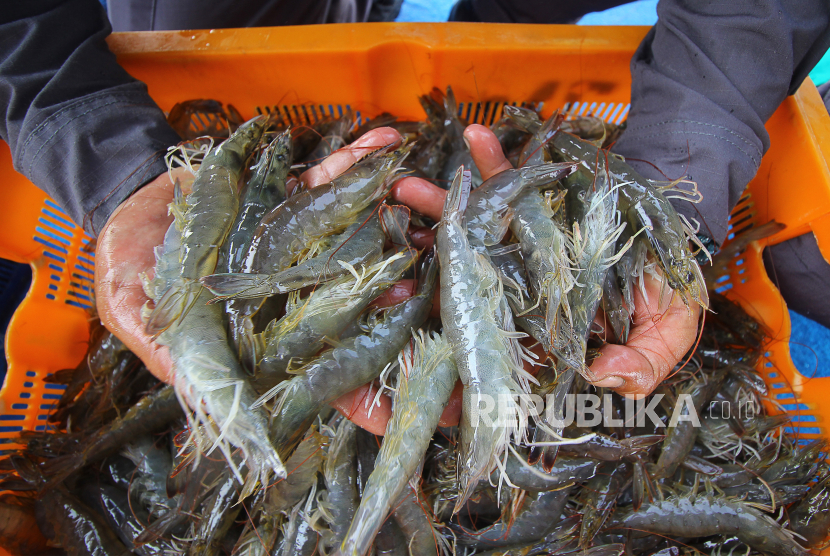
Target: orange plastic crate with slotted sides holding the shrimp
x,y
305,72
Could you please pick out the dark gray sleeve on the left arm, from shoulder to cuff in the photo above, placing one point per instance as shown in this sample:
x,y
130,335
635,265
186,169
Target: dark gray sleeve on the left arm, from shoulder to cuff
x,y
79,127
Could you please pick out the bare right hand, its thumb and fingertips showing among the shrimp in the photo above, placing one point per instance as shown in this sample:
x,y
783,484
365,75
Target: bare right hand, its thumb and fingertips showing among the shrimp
x,y
663,327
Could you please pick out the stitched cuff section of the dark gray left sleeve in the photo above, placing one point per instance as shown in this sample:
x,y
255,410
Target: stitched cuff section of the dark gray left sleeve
x,y
94,152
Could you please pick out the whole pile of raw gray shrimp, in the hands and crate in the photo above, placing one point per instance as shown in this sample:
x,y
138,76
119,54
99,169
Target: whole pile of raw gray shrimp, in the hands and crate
x,y
269,296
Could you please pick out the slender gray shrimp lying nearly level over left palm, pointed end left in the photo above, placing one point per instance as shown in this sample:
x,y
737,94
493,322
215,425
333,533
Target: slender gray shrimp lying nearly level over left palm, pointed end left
x,y
360,245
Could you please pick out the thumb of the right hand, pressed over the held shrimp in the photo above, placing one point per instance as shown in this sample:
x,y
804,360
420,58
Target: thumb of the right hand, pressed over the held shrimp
x,y
663,330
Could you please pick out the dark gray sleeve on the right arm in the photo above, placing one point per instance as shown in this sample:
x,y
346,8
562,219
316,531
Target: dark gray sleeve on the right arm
x,y
705,80
